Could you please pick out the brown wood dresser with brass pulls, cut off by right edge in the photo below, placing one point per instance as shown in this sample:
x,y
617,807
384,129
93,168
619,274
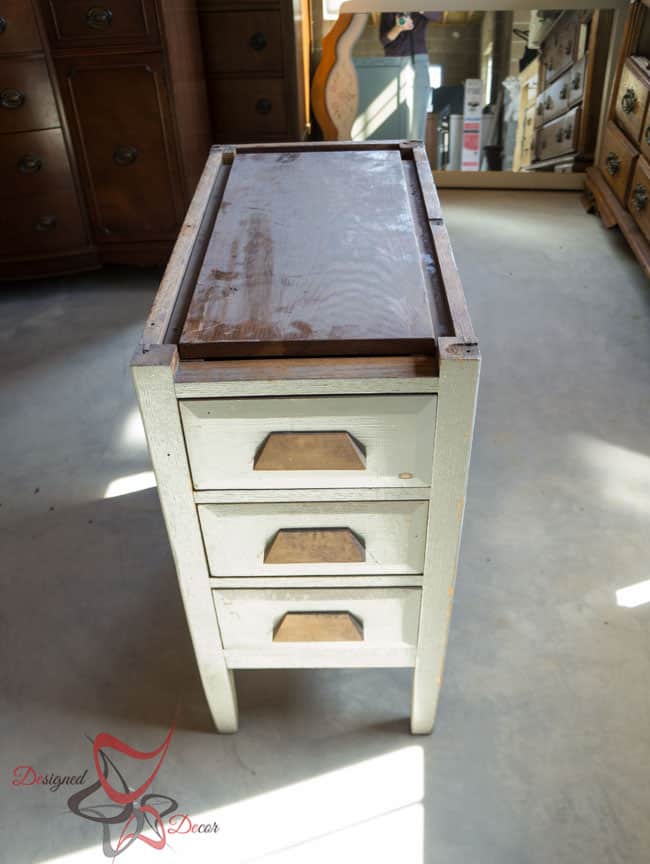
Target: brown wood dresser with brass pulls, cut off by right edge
x,y
618,186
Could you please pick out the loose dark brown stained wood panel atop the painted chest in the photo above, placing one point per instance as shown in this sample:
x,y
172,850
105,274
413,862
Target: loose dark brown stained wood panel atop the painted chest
x,y
311,254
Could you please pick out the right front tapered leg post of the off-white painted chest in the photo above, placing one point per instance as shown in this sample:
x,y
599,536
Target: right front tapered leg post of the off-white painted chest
x,y
459,369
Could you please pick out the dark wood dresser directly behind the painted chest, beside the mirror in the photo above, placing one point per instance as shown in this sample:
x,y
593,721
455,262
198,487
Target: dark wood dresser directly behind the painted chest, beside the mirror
x,y
256,55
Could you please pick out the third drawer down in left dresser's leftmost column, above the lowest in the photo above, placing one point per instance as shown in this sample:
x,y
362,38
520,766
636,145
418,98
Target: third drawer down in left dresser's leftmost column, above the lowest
x,y
33,163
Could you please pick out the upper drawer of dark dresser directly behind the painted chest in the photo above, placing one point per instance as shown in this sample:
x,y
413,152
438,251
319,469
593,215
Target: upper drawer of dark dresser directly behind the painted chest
x,y
242,41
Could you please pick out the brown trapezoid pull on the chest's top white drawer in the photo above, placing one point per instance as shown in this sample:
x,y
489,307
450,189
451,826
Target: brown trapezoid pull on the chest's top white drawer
x,y
310,451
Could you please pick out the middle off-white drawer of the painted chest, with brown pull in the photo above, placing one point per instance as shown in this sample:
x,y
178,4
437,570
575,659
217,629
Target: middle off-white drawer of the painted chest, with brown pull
x,y
319,539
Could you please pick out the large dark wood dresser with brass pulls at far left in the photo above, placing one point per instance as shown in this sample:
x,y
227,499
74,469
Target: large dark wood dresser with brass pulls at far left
x,y
103,131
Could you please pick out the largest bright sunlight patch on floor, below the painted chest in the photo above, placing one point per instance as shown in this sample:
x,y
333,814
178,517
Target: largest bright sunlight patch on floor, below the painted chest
x,y
369,811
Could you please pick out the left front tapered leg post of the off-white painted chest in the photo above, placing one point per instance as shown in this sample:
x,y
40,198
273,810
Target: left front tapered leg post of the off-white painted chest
x,y
153,374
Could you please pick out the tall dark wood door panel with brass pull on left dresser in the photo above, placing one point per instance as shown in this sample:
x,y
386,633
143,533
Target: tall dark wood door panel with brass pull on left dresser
x,y
124,141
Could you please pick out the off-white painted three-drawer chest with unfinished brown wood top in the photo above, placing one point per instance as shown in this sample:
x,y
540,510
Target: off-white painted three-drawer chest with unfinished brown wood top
x,y
307,380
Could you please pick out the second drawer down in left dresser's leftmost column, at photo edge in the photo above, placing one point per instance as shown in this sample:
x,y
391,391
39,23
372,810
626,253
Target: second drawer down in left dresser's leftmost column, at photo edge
x,y
26,96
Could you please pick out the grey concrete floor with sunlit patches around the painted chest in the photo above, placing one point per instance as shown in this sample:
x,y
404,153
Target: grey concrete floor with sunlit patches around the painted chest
x,y
542,747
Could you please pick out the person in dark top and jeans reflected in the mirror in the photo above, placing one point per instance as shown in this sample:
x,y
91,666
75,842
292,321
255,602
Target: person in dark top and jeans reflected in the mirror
x,y
403,34
